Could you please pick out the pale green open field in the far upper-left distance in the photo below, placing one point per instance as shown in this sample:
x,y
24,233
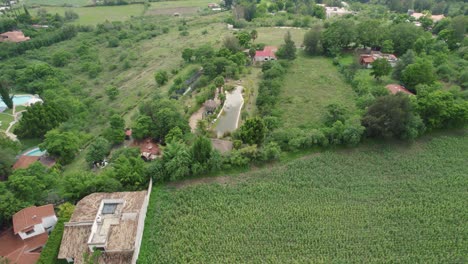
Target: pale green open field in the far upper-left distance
x,y
99,14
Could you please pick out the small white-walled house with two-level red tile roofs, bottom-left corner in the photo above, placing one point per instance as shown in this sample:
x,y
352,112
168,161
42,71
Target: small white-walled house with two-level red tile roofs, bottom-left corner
x,y
31,226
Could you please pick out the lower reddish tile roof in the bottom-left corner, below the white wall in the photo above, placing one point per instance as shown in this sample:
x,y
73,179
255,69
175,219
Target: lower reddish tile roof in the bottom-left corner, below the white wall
x,y
19,251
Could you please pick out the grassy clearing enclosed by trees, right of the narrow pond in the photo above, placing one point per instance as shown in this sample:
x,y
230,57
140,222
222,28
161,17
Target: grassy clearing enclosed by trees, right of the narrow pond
x,y
310,85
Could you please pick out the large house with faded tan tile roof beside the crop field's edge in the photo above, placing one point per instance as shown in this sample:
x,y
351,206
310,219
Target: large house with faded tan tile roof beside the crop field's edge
x,y
110,222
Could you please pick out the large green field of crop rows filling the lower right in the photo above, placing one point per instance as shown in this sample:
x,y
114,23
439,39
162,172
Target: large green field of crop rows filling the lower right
x,y
379,203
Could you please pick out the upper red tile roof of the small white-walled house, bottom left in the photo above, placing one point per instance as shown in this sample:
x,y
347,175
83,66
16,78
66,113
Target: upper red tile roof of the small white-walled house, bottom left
x,y
31,216
